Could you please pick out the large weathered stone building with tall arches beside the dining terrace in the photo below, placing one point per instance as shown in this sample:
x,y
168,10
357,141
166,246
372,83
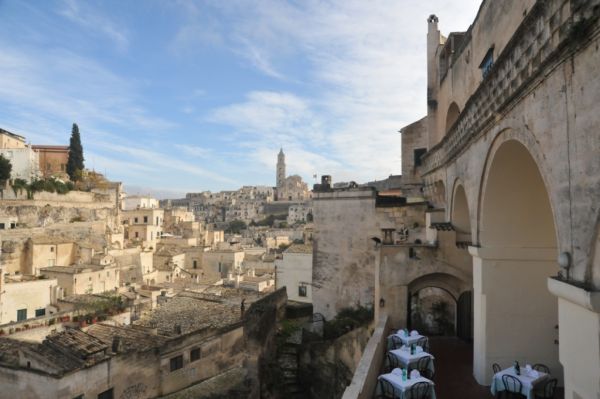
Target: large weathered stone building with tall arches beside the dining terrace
x,y
512,174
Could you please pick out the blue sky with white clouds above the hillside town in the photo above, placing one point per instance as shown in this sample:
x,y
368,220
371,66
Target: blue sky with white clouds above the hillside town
x,y
186,96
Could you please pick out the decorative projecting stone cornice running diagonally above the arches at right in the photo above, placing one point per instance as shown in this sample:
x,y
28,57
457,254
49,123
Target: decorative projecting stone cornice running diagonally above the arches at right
x,y
552,31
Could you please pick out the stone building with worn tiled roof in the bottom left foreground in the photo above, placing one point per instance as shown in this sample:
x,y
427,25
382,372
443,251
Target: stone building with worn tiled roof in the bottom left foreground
x,y
179,348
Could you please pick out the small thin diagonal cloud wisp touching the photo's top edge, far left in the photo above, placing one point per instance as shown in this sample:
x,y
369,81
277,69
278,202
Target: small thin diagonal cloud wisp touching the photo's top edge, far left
x,y
92,21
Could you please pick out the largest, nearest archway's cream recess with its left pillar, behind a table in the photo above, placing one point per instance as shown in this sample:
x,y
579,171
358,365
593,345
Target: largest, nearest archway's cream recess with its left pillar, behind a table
x,y
515,316
